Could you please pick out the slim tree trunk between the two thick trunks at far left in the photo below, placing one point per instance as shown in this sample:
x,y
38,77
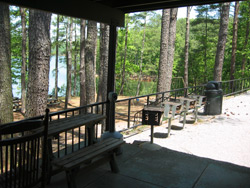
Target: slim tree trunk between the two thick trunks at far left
x,y
24,60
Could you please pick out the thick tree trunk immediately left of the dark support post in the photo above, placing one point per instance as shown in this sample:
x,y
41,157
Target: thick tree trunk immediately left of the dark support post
x,y
103,72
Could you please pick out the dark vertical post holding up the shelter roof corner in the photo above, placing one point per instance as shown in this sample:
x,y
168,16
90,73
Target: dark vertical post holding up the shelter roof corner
x,y
110,112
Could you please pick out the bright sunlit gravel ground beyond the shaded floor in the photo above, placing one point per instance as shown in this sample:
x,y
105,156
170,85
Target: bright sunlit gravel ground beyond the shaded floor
x,y
224,137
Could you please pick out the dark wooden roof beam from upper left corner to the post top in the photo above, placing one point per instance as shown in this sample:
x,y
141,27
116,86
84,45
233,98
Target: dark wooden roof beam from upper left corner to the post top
x,y
85,9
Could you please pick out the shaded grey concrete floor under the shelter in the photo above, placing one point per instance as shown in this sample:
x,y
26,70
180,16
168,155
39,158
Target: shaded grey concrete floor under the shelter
x,y
144,167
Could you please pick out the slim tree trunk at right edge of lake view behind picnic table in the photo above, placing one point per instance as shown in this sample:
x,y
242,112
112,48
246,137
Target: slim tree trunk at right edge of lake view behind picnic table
x,y
69,64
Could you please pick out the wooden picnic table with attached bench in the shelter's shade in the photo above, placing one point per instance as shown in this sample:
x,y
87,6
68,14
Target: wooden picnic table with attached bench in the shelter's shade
x,y
86,157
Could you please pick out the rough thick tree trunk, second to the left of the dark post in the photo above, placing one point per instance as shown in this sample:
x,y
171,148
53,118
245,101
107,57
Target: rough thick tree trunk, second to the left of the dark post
x,y
90,61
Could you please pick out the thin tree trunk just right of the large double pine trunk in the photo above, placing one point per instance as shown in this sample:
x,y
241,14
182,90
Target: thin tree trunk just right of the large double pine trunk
x,y
186,48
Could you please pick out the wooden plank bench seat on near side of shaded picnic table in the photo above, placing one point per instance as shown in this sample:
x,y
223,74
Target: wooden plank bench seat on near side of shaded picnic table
x,y
89,157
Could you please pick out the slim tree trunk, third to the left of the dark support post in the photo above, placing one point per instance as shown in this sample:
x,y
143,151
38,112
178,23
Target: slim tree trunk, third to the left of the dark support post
x,y
83,101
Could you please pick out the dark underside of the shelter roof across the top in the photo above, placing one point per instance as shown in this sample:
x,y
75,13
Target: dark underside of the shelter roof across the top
x,y
106,11
